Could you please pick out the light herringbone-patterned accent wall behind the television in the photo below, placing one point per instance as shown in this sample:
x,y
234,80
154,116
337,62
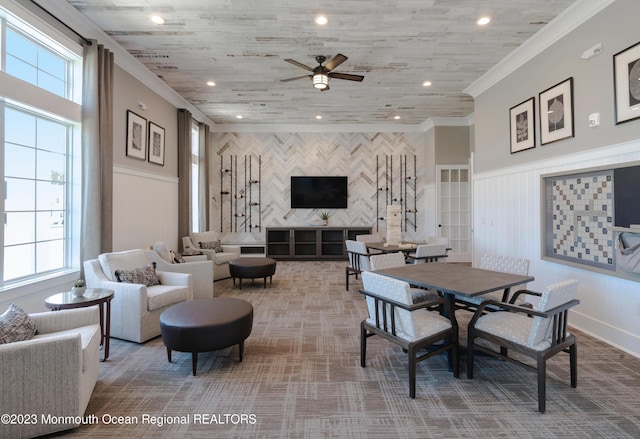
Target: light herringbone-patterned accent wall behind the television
x,y
366,158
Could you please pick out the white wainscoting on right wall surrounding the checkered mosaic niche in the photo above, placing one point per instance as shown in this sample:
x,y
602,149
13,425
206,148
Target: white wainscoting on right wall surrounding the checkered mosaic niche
x,y
507,220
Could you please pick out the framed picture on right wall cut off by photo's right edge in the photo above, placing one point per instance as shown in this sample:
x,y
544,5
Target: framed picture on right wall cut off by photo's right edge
x,y
626,80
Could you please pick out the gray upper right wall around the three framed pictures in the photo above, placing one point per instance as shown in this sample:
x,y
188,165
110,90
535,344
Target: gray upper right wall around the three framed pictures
x,y
617,28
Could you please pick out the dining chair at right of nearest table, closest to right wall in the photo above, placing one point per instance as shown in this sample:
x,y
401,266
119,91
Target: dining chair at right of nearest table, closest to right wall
x,y
539,337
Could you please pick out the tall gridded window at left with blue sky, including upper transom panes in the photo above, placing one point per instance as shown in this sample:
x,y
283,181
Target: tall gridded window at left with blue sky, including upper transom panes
x,y
37,135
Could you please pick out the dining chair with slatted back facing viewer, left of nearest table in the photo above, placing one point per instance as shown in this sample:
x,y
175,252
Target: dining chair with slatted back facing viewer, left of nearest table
x,y
394,317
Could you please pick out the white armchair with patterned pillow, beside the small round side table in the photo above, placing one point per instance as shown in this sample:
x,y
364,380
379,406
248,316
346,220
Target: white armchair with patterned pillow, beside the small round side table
x,y
136,307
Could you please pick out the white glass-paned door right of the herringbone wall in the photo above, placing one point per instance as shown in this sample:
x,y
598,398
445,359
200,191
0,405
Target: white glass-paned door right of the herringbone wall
x,y
454,210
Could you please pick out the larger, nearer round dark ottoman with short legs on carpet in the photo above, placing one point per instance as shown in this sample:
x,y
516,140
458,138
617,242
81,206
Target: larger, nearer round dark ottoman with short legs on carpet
x,y
205,325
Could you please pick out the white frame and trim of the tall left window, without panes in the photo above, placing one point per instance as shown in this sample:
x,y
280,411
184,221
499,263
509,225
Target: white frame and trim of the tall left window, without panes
x,y
18,93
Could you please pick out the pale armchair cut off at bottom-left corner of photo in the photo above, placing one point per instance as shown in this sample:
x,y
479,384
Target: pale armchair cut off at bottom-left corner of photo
x,y
53,373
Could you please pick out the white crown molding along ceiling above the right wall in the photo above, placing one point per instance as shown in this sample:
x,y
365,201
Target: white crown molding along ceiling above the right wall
x,y
560,26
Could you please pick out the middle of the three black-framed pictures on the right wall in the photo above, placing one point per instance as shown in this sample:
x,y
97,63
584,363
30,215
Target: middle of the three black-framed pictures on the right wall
x,y
556,112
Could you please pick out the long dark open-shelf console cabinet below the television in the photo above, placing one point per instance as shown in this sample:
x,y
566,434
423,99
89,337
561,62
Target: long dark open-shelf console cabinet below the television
x,y
310,243
